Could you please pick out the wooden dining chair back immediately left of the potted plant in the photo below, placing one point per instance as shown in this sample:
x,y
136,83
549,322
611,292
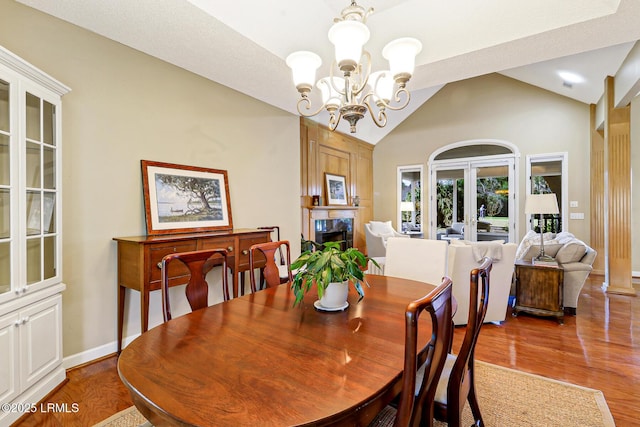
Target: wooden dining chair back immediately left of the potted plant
x,y
273,274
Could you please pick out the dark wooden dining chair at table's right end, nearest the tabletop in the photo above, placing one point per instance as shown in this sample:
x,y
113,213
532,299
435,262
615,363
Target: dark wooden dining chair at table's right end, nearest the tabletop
x,y
422,366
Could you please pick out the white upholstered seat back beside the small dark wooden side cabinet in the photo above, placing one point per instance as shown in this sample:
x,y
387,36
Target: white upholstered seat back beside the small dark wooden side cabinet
x,y
463,257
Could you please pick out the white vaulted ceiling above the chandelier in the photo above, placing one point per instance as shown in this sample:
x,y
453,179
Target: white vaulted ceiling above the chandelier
x,y
242,44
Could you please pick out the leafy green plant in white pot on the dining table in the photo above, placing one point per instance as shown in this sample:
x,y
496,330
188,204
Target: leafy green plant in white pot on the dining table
x,y
327,266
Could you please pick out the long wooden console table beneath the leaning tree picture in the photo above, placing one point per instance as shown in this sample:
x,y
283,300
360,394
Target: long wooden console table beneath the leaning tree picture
x,y
139,260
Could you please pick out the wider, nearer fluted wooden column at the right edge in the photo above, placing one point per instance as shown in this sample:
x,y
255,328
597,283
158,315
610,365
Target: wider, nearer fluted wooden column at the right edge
x,y
617,195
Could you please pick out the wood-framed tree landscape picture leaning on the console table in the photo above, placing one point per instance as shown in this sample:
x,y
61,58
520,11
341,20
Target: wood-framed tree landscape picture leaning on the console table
x,y
183,199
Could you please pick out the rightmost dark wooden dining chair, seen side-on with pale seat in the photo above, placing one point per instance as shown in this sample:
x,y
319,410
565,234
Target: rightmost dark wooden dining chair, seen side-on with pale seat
x,y
457,383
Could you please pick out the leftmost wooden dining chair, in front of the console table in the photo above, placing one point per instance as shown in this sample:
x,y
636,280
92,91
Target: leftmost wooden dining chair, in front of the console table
x,y
198,263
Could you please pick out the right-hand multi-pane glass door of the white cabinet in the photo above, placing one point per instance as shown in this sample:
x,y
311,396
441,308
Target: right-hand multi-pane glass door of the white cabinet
x,y
41,189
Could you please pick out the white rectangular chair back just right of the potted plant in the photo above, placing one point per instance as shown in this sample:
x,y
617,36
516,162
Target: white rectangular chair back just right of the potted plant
x,y
424,260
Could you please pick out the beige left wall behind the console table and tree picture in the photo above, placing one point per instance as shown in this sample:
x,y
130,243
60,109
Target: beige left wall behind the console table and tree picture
x,y
126,106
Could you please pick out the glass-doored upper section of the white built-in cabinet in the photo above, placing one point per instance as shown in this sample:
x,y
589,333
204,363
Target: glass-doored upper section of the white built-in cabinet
x,y
30,181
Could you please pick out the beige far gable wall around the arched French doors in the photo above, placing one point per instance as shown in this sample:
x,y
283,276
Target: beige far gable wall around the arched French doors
x,y
489,107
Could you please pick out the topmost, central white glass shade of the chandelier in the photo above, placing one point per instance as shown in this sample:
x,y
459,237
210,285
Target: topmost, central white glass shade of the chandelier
x,y
348,37
